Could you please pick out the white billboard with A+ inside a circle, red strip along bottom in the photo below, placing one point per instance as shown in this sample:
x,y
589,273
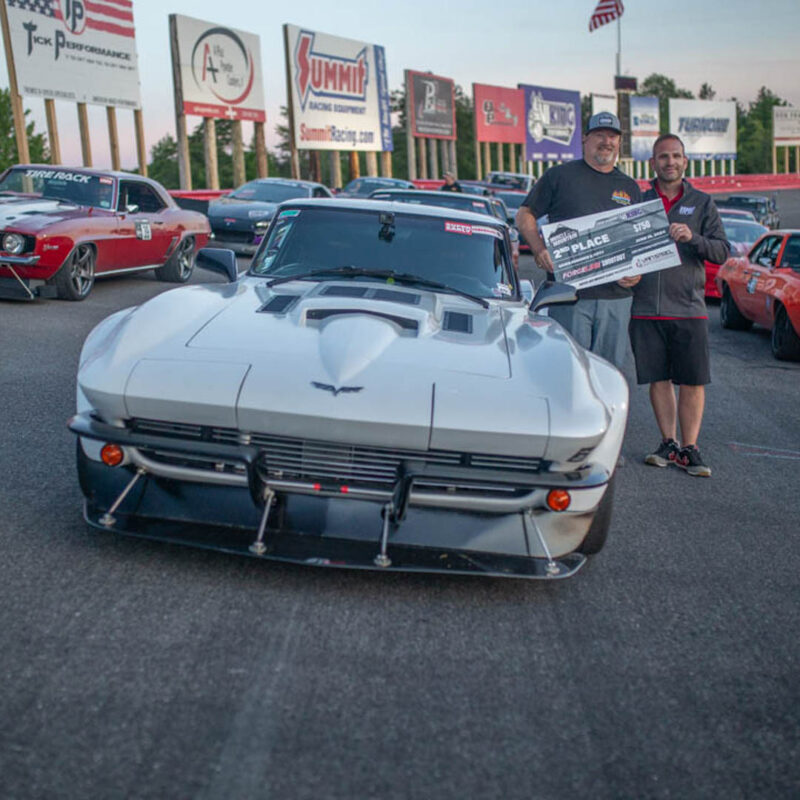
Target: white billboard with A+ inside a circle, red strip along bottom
x,y
220,71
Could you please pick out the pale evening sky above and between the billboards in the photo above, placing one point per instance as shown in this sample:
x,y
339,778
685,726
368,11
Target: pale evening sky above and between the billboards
x,y
737,47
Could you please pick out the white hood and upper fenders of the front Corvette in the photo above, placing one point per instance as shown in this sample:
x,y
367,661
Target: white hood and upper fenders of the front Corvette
x,y
374,372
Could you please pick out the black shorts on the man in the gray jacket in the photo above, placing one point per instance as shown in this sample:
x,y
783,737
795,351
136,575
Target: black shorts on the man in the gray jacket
x,y
671,350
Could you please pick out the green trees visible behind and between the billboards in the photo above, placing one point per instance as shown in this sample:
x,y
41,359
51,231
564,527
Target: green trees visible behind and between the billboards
x,y
754,138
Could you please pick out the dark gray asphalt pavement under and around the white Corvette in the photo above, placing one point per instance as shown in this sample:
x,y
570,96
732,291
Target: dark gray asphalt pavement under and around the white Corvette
x,y
667,668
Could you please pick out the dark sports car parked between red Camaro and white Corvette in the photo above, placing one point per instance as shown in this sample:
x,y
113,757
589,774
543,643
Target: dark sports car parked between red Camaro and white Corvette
x,y
240,219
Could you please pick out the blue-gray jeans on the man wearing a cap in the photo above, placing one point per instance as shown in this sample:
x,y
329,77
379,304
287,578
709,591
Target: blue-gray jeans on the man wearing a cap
x,y
598,325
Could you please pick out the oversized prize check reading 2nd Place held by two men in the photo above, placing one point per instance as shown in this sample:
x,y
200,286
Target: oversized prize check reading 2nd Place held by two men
x,y
604,247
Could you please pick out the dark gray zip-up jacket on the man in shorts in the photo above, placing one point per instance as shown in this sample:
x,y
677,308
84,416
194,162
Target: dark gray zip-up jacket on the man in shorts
x,y
680,291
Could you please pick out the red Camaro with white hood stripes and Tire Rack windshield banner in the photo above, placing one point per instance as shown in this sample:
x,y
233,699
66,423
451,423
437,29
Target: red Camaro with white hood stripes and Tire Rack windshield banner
x,y
62,227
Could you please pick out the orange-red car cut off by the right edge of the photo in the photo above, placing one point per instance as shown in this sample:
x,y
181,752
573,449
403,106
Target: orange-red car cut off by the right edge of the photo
x,y
764,287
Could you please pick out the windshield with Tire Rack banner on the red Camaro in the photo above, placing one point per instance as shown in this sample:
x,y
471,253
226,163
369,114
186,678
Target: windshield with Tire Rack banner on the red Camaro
x,y
66,185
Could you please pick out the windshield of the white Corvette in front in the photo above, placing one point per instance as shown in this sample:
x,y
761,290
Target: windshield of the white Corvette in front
x,y
463,255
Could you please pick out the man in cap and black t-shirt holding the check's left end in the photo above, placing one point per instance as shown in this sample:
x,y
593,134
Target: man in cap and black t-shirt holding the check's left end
x,y
599,320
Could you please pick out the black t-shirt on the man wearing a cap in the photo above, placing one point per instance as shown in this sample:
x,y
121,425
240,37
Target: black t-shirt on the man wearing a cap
x,y
575,189
